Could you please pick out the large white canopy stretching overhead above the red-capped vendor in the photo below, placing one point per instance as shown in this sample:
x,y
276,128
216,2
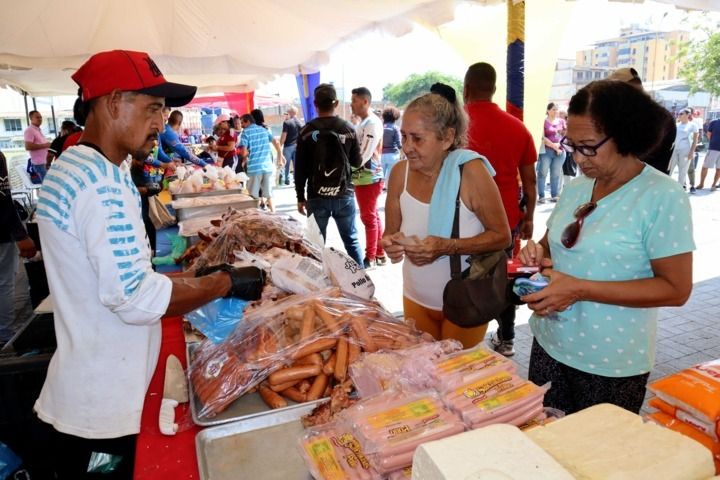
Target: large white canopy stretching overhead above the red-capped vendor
x,y
218,46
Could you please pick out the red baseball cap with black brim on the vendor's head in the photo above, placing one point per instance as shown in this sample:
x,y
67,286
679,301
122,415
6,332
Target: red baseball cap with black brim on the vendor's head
x,y
131,72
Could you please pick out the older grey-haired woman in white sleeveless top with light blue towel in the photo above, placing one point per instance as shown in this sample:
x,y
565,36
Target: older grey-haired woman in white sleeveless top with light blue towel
x,y
418,211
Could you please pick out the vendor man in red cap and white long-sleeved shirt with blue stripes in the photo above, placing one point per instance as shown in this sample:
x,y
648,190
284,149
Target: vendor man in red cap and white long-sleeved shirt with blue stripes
x,y
108,301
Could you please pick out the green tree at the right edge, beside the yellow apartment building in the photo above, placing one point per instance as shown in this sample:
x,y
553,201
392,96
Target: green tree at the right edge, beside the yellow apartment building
x,y
701,67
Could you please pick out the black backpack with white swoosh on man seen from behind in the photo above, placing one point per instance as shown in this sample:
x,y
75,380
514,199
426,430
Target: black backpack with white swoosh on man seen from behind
x,y
332,173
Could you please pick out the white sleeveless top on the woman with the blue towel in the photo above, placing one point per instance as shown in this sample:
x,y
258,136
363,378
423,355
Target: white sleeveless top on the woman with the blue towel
x,y
424,285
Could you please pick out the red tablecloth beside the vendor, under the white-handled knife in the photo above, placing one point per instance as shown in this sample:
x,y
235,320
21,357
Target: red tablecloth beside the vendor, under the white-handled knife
x,y
159,456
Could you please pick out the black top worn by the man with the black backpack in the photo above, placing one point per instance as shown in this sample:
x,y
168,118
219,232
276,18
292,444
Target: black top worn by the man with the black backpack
x,y
305,163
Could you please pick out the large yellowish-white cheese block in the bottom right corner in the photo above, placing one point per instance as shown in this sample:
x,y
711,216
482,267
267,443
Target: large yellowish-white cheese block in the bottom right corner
x,y
609,443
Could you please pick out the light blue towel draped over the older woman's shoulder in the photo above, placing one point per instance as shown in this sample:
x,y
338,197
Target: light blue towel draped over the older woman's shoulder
x,y
442,203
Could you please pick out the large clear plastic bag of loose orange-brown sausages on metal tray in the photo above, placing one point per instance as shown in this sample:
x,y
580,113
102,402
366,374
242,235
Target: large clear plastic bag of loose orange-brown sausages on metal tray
x,y
301,345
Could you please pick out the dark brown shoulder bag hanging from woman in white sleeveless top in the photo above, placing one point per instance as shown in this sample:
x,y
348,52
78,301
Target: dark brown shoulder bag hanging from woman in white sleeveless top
x,y
476,295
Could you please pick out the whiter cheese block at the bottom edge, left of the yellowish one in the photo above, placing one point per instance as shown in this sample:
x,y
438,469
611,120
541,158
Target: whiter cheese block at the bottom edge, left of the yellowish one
x,y
495,452
